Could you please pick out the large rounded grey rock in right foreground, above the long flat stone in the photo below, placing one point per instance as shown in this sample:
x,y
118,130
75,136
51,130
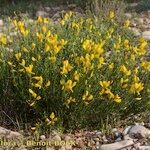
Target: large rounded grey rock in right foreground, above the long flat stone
x,y
139,131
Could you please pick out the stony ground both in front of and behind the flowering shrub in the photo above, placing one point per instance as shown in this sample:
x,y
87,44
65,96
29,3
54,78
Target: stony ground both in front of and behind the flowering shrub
x,y
135,137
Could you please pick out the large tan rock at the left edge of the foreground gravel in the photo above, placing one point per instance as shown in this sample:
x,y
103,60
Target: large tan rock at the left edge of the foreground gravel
x,y
9,134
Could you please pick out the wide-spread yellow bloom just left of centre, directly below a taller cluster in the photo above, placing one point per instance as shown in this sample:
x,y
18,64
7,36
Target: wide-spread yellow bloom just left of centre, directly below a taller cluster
x,y
68,86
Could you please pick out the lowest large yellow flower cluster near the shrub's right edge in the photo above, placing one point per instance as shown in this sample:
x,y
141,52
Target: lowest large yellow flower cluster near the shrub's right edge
x,y
136,87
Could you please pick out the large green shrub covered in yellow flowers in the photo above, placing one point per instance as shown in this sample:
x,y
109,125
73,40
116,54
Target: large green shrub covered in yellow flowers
x,y
74,73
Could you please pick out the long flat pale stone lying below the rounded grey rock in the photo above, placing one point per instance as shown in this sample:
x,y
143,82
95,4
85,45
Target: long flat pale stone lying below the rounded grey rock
x,y
117,145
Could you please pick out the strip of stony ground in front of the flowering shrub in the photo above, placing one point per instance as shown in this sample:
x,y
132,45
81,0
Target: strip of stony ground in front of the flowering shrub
x,y
135,137
